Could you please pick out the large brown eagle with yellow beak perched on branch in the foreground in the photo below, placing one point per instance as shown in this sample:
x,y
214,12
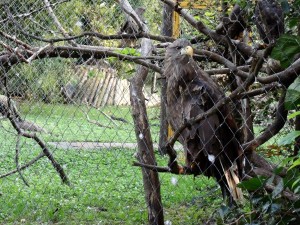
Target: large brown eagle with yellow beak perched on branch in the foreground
x,y
211,146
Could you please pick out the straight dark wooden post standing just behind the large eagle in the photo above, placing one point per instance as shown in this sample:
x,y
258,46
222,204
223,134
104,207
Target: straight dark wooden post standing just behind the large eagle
x,y
166,31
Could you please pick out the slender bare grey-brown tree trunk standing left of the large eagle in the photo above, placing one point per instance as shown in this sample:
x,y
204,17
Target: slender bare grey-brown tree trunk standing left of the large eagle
x,y
142,129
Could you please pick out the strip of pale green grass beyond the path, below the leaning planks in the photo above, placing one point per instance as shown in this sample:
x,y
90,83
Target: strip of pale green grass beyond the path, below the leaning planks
x,y
69,123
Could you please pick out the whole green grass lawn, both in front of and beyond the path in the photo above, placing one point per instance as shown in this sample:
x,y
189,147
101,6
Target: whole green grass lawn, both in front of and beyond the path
x,y
105,187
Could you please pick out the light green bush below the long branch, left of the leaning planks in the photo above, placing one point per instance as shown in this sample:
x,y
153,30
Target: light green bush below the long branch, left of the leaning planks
x,y
41,80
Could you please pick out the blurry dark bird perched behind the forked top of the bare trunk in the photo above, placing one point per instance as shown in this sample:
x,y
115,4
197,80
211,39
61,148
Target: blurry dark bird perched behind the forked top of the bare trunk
x,y
131,27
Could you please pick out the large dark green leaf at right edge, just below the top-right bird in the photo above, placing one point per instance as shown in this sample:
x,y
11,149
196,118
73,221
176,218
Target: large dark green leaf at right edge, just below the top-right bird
x,y
285,49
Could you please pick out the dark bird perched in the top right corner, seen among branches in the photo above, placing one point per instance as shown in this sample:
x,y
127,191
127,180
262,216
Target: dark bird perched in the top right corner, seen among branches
x,y
269,20
